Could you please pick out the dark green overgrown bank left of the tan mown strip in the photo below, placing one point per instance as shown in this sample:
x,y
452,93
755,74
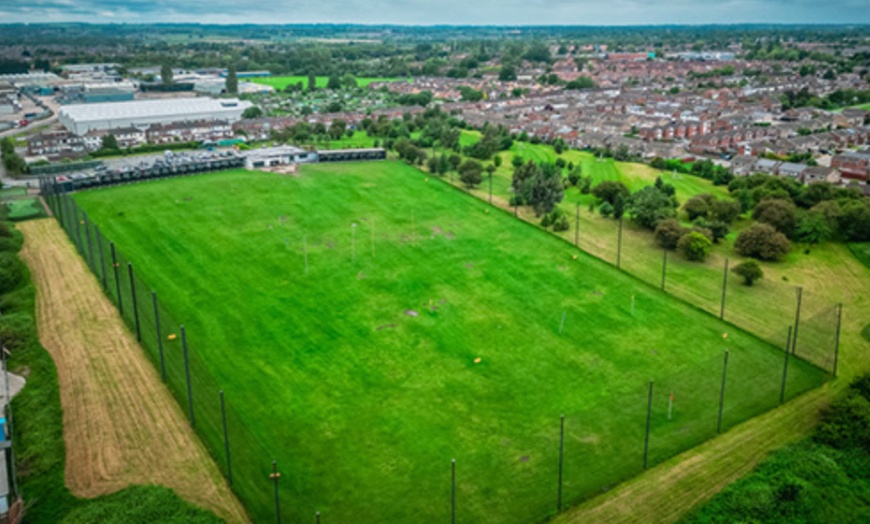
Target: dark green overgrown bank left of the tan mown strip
x,y
38,432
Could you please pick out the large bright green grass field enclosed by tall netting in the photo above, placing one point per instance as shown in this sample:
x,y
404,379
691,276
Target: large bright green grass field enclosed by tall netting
x,y
361,377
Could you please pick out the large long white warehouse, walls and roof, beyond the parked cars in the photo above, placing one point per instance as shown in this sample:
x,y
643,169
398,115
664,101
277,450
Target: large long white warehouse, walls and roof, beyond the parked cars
x,y
79,119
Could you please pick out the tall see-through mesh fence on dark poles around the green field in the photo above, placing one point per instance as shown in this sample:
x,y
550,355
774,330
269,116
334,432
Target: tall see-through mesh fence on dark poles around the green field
x,y
565,460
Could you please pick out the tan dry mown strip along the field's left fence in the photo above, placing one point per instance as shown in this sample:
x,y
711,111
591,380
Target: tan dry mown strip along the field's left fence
x,y
121,425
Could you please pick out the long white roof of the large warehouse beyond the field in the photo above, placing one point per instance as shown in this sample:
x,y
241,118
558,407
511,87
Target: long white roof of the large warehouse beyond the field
x,y
168,108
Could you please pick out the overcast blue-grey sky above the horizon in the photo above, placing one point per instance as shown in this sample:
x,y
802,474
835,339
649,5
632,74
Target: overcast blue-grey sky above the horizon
x,y
428,12
